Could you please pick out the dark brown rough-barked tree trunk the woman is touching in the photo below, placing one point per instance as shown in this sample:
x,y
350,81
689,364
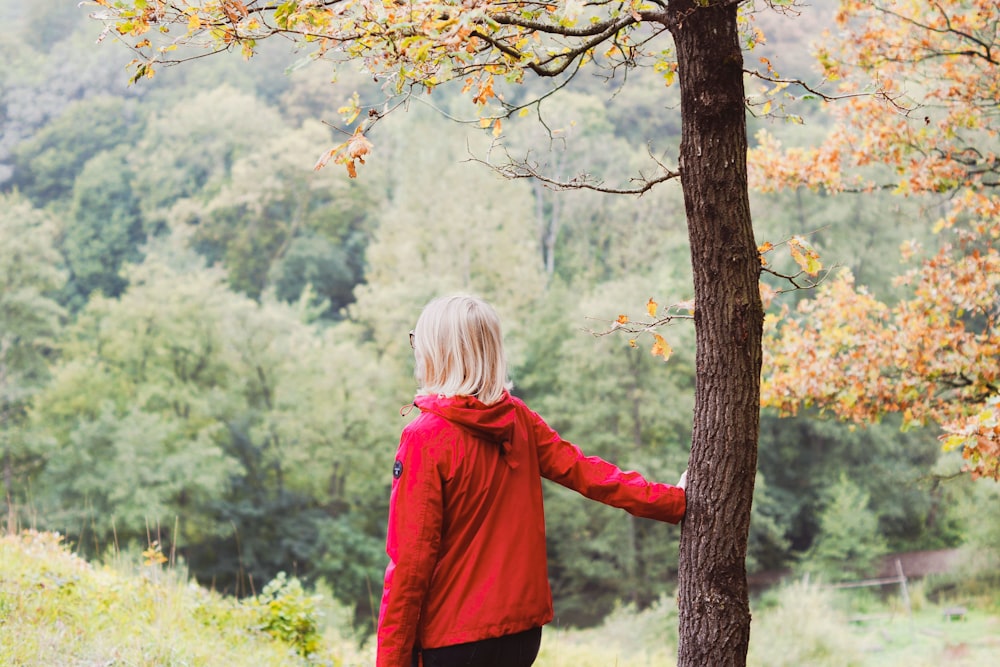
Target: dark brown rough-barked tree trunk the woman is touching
x,y
713,599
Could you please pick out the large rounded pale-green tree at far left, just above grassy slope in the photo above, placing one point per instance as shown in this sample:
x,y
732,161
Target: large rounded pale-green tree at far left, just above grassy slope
x,y
133,419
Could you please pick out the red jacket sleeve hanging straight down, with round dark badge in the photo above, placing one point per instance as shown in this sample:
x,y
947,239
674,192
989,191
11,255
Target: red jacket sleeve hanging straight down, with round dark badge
x,y
412,543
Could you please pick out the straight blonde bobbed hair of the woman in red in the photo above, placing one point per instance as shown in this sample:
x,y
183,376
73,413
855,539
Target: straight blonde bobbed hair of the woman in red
x,y
459,350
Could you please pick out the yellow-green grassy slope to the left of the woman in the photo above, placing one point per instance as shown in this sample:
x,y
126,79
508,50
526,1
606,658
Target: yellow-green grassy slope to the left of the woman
x,y
58,610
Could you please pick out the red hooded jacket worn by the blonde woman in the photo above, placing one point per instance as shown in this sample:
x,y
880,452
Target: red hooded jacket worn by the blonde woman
x,y
466,537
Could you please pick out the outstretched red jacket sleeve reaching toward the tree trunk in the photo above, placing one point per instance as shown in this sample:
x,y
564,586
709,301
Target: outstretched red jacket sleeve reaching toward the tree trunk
x,y
564,463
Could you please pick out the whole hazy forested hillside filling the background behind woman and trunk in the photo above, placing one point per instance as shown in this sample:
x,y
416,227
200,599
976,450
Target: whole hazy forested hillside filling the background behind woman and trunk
x,y
203,339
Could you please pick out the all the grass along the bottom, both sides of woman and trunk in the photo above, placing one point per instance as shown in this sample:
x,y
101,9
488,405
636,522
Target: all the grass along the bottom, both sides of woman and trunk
x,y
57,610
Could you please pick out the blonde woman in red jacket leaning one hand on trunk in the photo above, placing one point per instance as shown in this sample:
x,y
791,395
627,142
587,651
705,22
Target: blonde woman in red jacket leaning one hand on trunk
x,y
467,582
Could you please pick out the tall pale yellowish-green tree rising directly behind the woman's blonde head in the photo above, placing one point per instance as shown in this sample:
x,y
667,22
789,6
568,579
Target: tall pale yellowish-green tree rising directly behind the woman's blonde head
x,y
475,239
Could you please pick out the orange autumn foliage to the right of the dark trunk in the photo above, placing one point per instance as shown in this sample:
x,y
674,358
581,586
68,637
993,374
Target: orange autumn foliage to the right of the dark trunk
x,y
931,356
